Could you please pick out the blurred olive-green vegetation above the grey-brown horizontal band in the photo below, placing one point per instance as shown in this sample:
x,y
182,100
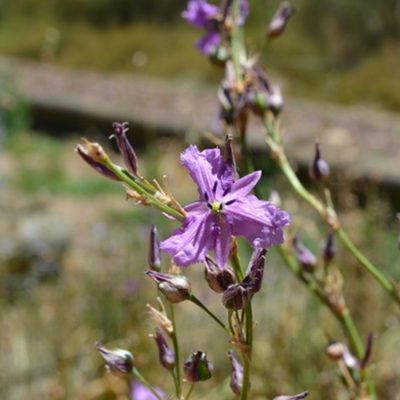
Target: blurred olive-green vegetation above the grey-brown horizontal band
x,y
332,50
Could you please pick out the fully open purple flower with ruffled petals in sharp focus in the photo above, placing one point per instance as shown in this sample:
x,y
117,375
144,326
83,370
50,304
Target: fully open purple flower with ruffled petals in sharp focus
x,y
225,208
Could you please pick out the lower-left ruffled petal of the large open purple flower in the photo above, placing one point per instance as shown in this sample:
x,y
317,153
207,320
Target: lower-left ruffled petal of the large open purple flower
x,y
190,243
